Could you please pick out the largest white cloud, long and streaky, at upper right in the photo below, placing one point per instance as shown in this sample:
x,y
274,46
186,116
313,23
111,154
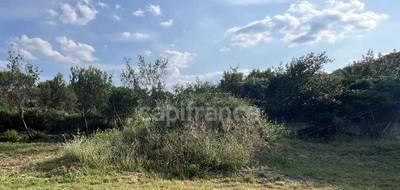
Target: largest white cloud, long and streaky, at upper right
x,y
305,23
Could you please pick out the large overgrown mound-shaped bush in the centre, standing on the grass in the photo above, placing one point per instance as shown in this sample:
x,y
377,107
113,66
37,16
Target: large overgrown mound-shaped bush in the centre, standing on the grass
x,y
182,147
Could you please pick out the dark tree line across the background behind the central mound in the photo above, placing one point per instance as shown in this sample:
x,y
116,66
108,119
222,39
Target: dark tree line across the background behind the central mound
x,y
300,91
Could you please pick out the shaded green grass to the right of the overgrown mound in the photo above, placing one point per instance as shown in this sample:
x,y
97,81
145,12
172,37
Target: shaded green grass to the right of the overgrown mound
x,y
359,164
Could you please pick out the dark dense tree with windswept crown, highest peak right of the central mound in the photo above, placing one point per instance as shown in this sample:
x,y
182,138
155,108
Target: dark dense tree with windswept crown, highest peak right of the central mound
x,y
295,87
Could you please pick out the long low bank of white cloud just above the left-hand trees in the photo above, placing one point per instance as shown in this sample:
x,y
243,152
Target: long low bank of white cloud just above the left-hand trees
x,y
72,52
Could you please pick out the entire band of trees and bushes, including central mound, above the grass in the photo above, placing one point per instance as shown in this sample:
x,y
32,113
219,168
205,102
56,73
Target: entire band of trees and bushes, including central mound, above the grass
x,y
195,130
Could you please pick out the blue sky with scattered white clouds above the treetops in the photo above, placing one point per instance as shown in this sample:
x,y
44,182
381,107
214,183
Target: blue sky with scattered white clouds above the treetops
x,y
200,39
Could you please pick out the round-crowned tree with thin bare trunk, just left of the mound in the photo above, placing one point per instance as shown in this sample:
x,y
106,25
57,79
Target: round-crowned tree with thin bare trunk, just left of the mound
x,y
92,88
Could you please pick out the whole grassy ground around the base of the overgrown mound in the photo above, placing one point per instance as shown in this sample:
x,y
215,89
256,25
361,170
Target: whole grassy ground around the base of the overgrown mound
x,y
289,164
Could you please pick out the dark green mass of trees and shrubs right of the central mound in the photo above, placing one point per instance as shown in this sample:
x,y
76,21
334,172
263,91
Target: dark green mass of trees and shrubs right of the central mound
x,y
363,93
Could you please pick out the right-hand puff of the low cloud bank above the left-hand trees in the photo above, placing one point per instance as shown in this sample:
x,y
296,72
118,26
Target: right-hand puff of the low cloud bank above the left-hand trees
x,y
83,52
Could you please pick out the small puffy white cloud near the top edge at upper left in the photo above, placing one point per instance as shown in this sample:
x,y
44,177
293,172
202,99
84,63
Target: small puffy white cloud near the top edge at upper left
x,y
79,15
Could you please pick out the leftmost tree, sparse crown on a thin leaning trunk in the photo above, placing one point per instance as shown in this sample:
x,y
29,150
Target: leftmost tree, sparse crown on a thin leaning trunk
x,y
18,83
